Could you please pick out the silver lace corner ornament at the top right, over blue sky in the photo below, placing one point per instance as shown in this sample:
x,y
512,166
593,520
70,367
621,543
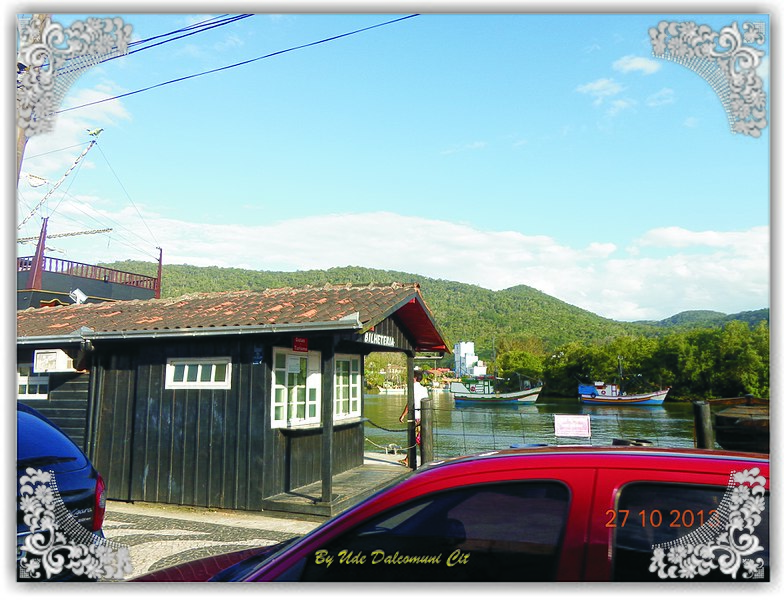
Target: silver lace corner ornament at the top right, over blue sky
x,y
725,62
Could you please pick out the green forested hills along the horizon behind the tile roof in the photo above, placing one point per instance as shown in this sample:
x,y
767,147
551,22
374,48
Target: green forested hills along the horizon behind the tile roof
x,y
463,312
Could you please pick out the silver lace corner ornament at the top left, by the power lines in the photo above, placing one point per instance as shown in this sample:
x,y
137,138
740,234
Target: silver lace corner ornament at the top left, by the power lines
x,y
51,58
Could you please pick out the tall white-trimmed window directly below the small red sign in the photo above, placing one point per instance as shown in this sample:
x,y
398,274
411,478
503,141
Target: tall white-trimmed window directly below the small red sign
x,y
296,388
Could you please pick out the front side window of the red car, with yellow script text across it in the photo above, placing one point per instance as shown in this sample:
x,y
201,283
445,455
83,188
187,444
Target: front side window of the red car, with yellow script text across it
x,y
495,532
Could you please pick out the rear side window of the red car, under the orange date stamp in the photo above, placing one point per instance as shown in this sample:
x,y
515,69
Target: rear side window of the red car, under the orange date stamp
x,y
681,519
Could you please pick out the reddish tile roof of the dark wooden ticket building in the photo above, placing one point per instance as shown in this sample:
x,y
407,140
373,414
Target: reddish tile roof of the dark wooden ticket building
x,y
293,308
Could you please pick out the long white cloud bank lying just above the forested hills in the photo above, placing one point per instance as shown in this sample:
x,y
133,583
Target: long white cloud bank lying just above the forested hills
x,y
662,277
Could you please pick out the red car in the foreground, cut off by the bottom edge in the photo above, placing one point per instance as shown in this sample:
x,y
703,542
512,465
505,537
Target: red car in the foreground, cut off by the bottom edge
x,y
536,514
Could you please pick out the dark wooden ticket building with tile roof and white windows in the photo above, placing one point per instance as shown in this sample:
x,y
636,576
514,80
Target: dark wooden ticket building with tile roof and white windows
x,y
234,400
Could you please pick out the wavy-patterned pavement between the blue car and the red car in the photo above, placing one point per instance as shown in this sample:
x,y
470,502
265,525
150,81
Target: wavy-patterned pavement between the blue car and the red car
x,y
160,536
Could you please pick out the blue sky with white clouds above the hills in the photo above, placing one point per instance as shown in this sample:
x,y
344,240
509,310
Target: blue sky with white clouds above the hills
x,y
551,150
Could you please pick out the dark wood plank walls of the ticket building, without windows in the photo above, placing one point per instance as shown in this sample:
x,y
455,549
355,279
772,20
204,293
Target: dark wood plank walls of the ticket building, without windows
x,y
211,448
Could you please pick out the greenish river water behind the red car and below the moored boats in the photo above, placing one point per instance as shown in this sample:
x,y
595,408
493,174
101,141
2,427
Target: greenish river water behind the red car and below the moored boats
x,y
464,429
